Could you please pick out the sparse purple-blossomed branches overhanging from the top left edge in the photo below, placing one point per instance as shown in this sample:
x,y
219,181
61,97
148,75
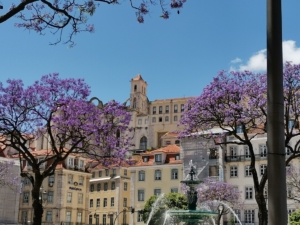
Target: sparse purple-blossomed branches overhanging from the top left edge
x,y
72,15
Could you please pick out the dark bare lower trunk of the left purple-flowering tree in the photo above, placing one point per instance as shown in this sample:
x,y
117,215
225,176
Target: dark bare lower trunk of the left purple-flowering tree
x,y
37,200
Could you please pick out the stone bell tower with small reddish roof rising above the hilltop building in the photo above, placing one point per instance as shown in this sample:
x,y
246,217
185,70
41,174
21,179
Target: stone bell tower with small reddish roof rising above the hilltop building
x,y
138,95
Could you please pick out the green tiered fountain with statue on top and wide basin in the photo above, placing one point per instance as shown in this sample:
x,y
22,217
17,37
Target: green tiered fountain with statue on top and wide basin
x,y
191,216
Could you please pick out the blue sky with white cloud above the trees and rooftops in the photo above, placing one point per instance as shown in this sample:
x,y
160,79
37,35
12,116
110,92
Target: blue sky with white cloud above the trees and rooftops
x,y
177,57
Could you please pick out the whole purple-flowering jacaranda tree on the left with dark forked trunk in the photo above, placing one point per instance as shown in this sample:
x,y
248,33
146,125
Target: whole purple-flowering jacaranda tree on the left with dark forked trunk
x,y
58,110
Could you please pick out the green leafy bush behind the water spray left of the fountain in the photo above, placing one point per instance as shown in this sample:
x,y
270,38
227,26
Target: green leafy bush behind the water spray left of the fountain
x,y
169,201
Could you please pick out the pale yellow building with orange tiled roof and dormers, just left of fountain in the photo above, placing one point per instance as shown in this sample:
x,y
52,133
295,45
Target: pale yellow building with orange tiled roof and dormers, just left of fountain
x,y
157,172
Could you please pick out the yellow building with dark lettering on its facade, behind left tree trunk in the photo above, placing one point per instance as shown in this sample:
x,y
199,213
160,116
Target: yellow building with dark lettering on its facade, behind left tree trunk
x,y
64,195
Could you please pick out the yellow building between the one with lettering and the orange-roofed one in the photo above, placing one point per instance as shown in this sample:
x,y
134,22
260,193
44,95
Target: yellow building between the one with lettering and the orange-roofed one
x,y
109,199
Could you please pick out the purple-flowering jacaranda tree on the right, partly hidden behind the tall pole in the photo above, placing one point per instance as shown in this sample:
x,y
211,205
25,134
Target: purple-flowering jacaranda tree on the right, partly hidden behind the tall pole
x,y
236,103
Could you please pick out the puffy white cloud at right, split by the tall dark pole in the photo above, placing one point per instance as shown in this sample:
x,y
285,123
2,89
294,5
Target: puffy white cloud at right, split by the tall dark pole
x,y
258,62
